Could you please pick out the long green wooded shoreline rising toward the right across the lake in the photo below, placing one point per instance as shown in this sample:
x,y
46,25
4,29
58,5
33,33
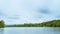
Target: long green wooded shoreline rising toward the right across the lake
x,y
53,23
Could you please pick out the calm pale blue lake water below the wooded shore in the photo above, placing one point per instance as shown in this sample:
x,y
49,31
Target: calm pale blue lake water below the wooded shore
x,y
30,30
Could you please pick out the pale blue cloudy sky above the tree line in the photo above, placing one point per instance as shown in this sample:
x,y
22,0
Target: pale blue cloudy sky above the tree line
x,y
29,11
